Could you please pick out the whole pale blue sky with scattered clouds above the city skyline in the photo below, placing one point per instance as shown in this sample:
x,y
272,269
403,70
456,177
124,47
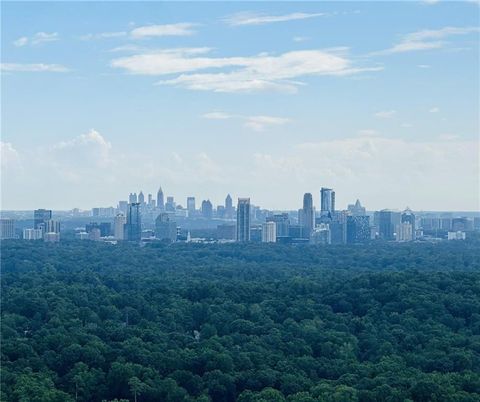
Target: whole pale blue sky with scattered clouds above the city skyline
x,y
267,100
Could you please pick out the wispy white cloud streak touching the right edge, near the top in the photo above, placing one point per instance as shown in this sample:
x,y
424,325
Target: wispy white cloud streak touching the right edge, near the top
x,y
427,39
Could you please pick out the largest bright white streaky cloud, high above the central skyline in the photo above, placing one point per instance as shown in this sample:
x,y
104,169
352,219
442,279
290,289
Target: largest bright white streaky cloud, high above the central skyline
x,y
240,74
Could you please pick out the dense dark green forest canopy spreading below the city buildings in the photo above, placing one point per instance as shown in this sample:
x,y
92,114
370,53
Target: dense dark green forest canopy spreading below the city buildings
x,y
89,321
